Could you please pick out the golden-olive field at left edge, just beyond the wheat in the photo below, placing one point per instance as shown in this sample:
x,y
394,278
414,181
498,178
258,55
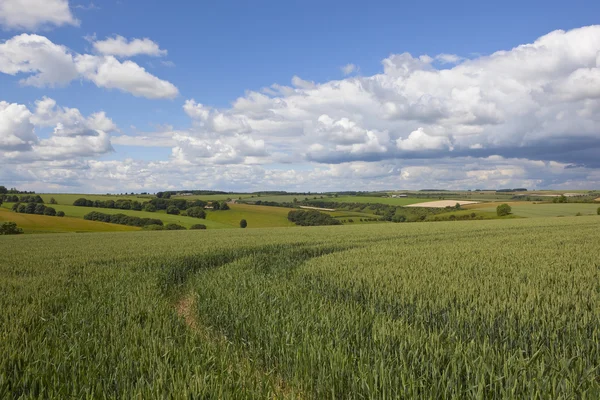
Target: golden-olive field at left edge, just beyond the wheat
x,y
43,224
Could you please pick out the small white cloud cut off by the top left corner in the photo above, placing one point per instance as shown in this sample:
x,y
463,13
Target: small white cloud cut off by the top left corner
x,y
34,14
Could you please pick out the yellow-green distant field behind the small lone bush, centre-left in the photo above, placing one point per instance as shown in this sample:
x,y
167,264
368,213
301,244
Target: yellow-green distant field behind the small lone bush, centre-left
x,y
256,216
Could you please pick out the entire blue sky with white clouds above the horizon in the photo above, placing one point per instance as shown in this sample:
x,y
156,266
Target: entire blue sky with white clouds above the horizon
x,y
117,96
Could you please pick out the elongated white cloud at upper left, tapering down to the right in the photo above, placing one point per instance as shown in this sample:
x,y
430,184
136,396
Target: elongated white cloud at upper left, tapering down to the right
x,y
48,64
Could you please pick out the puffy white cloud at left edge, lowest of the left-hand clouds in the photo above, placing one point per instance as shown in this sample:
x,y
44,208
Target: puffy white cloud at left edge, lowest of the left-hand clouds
x,y
73,136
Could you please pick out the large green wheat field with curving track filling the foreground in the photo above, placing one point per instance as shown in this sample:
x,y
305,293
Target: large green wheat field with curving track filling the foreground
x,y
478,309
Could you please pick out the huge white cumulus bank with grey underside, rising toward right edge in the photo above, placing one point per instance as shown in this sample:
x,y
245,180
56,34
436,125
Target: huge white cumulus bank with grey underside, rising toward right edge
x,y
537,100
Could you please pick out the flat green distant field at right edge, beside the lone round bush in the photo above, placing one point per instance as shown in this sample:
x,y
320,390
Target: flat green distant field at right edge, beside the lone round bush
x,y
530,210
